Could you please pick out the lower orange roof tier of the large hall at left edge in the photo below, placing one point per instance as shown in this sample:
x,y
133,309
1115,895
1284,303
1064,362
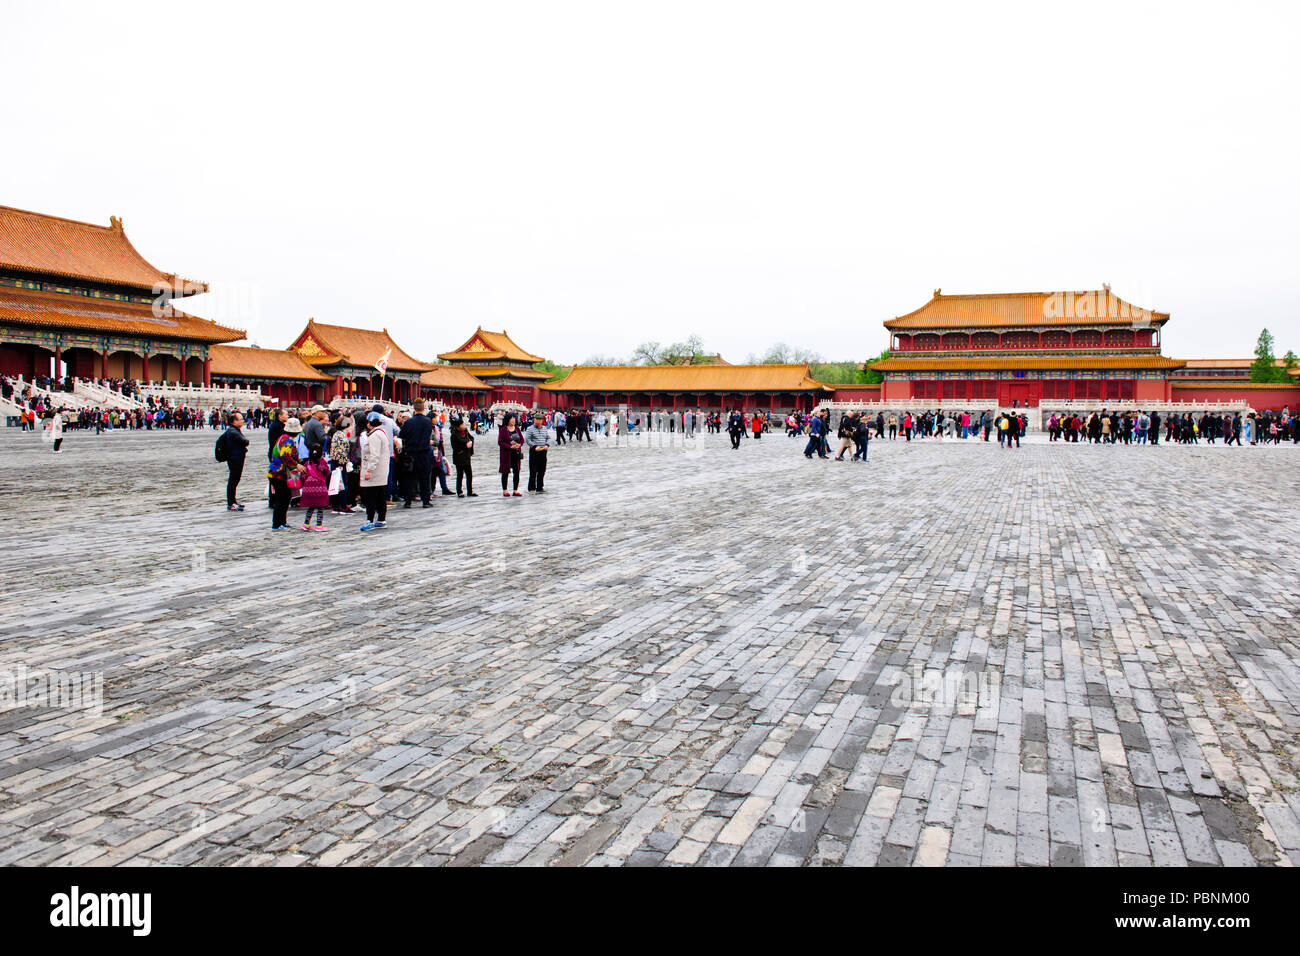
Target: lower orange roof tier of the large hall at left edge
x,y
63,312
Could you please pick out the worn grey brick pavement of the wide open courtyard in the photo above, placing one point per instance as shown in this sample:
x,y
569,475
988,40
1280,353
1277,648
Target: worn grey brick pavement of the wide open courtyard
x,y
954,655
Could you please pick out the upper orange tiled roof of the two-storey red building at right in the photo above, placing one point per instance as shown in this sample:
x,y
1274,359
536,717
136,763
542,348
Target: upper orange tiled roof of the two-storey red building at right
x,y
1013,310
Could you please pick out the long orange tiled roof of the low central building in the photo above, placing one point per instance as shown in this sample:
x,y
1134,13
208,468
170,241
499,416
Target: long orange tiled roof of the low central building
x,y
688,379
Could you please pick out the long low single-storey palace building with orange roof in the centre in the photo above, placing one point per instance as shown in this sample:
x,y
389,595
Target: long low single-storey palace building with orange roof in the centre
x,y
710,388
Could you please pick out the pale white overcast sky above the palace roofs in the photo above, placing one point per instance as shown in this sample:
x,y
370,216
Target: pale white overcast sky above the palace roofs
x,y
590,176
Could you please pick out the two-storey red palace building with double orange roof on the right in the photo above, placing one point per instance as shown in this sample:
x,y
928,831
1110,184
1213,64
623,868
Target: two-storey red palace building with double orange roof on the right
x,y
1025,349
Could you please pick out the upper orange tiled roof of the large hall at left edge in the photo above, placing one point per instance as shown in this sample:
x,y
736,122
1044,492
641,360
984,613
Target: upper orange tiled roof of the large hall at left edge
x,y
38,244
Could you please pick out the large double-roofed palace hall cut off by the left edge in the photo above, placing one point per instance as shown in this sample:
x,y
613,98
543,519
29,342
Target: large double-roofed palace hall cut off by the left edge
x,y
77,300
